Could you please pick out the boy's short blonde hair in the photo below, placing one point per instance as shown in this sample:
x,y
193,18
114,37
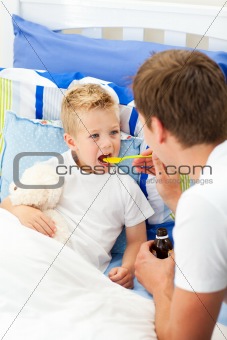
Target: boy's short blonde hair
x,y
80,100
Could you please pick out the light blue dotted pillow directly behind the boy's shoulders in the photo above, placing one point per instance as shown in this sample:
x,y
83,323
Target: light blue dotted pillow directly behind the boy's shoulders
x,y
34,135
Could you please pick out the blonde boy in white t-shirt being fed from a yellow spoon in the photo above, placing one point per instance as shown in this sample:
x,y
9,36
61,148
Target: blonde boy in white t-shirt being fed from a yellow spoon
x,y
97,201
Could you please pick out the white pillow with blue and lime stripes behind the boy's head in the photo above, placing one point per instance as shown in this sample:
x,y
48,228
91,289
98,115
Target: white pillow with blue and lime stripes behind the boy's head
x,y
38,94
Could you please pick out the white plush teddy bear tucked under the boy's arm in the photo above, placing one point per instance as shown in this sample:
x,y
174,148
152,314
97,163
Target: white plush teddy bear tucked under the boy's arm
x,y
45,199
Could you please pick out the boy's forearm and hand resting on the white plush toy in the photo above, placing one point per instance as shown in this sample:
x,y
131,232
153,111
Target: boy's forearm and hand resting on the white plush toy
x,y
30,217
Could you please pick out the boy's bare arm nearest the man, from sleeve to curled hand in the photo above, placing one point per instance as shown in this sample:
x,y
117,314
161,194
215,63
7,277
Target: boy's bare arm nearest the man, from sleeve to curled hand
x,y
124,275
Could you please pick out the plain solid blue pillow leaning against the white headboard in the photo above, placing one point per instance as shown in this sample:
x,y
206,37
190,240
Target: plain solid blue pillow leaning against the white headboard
x,y
112,60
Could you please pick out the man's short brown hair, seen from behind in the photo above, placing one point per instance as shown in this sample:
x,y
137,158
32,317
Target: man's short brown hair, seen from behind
x,y
187,92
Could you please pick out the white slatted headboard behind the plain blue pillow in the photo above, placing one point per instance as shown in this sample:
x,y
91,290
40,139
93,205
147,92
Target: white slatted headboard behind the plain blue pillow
x,y
170,23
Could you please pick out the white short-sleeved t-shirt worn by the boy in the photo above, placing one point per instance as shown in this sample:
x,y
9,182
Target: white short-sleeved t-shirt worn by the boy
x,y
97,207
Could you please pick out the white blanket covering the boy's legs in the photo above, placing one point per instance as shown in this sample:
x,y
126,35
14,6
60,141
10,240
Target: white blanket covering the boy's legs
x,y
47,292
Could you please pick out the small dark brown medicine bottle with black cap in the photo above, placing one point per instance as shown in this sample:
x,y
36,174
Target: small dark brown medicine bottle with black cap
x,y
162,246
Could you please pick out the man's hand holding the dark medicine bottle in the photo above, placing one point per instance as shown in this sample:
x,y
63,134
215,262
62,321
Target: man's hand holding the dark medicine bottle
x,y
153,273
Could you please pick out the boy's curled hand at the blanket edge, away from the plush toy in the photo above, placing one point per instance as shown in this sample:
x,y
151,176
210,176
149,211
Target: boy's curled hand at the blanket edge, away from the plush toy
x,y
122,276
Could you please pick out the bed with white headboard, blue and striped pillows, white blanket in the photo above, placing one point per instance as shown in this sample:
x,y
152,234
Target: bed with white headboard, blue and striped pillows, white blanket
x,y
104,42
